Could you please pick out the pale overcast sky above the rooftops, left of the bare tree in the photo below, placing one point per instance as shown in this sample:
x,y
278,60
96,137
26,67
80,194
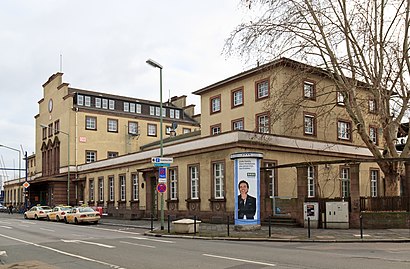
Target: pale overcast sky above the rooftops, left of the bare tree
x,y
104,45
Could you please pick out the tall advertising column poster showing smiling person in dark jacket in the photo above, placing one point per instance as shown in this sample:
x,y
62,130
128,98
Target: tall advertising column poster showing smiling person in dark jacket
x,y
246,178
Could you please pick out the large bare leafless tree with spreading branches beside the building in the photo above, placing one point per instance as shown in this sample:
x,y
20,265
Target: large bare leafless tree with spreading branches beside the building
x,y
361,44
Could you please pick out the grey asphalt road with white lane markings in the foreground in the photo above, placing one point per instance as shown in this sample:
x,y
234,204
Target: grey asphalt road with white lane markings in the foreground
x,y
102,246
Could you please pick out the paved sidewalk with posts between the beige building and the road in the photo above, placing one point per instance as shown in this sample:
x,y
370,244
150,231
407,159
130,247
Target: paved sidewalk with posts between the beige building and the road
x,y
278,233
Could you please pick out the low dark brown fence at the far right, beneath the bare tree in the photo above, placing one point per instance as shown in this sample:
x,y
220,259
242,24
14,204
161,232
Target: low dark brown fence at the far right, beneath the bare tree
x,y
388,203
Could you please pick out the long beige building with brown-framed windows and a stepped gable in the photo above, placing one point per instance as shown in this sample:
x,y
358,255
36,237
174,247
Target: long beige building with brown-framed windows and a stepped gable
x,y
274,109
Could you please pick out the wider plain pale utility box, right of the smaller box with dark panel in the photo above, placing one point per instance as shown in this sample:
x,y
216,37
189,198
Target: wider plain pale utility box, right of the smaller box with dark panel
x,y
337,215
